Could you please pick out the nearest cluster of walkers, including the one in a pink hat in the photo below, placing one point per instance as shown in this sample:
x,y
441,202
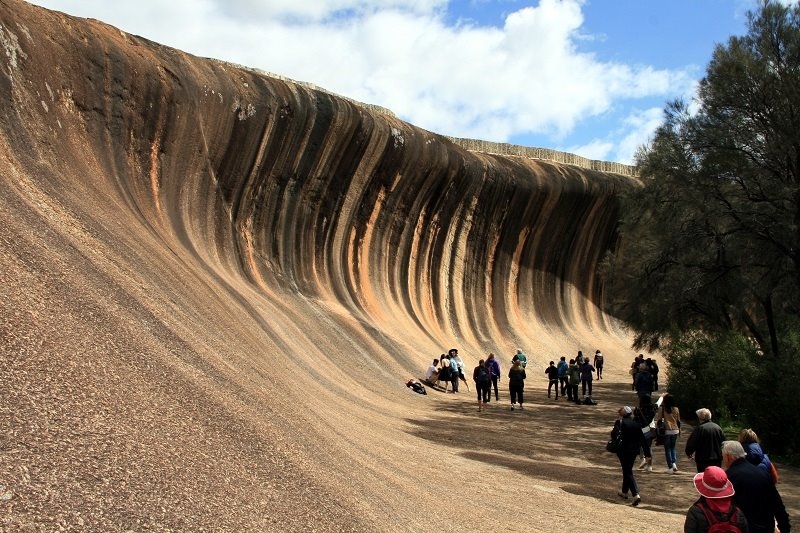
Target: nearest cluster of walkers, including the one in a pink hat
x,y
736,480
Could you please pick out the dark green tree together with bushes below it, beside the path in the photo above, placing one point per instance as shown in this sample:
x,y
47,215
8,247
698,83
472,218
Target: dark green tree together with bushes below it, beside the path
x,y
708,266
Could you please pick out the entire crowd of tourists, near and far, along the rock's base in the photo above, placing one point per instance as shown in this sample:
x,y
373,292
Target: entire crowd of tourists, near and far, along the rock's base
x,y
735,479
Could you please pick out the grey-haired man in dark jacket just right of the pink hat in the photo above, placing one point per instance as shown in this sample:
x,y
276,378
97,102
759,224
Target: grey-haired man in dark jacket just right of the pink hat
x,y
756,494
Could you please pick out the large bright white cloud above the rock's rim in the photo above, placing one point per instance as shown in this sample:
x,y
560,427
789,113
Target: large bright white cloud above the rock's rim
x,y
530,76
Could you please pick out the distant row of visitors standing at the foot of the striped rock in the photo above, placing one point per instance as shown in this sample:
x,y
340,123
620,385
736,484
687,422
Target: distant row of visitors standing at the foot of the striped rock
x,y
564,378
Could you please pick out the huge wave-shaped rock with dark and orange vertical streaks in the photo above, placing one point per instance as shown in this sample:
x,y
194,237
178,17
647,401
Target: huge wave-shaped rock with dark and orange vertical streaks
x,y
216,282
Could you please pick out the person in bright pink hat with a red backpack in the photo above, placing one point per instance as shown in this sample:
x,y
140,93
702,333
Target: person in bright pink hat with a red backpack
x,y
715,505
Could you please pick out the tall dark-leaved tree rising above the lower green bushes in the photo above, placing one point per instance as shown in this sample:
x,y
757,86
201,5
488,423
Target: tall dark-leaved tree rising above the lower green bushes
x,y
711,241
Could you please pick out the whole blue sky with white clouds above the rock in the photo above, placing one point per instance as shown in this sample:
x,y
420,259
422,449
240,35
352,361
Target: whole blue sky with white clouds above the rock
x,y
589,77
